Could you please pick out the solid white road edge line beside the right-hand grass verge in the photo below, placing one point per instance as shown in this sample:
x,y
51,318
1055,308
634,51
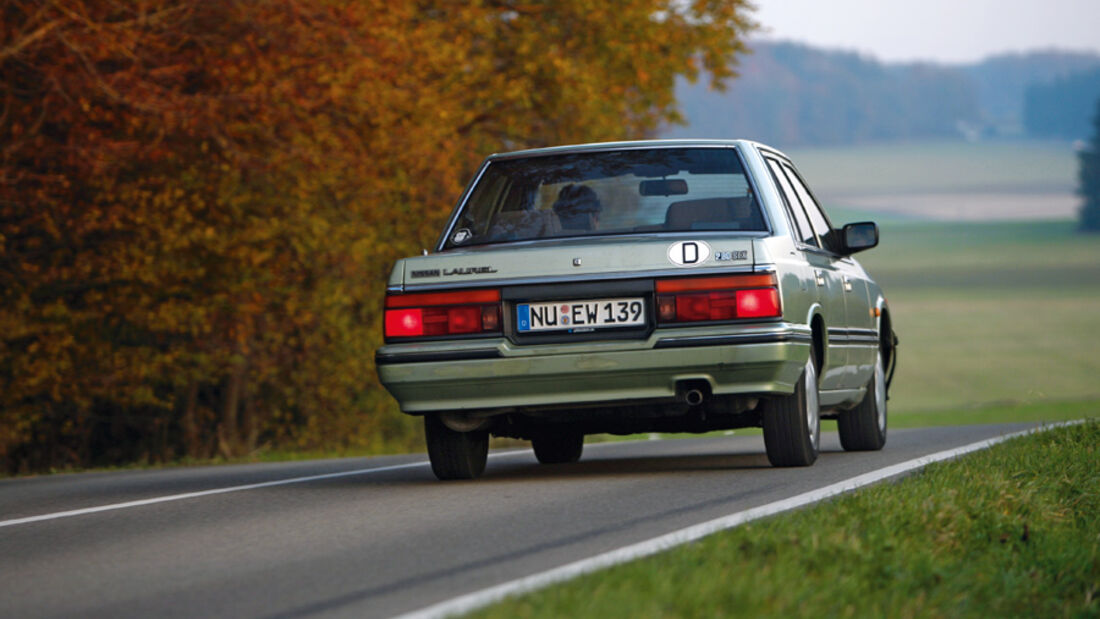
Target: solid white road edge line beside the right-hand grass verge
x,y
482,599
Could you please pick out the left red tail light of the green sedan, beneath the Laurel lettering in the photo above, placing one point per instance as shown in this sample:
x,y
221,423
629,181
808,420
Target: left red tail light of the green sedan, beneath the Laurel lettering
x,y
432,315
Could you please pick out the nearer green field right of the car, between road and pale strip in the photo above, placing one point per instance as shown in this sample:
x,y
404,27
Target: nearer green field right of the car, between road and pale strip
x,y
991,313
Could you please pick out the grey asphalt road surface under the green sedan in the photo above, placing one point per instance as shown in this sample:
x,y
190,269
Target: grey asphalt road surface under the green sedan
x,y
381,537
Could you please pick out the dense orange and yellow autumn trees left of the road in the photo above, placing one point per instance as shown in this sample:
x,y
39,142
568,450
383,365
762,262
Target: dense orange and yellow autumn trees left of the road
x,y
200,202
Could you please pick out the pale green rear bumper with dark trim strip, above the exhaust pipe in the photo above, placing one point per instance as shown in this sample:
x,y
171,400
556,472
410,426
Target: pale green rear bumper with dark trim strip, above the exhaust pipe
x,y
497,374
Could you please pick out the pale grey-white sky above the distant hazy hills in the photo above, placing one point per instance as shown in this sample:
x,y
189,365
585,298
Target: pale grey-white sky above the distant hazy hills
x,y
948,31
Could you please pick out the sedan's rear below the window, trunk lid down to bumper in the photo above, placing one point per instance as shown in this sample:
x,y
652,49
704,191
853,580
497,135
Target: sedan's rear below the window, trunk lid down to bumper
x,y
593,335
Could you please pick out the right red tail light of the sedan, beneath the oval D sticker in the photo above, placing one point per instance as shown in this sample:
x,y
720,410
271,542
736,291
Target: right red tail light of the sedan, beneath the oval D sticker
x,y
732,297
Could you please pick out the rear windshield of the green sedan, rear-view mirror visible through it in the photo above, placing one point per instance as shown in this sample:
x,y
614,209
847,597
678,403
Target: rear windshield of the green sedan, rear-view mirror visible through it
x,y
608,193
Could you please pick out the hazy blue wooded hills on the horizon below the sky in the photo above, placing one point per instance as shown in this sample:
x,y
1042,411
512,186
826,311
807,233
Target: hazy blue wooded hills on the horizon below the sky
x,y
790,94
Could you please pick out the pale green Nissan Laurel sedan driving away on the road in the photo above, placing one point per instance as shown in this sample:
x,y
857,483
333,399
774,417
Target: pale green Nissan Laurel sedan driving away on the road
x,y
675,286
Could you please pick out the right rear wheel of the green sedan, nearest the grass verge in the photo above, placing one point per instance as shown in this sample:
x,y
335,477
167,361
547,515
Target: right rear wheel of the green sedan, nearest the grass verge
x,y
793,424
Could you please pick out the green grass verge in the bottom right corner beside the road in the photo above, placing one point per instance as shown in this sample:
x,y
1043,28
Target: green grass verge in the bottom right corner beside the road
x,y
1013,532
